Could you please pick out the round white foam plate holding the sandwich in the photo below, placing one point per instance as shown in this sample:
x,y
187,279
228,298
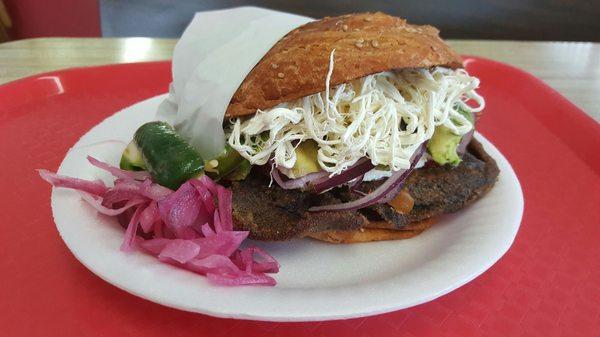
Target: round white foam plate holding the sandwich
x,y
317,281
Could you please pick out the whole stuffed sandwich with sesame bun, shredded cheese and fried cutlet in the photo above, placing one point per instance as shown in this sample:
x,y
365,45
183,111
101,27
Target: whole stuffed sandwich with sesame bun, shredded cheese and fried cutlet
x,y
358,128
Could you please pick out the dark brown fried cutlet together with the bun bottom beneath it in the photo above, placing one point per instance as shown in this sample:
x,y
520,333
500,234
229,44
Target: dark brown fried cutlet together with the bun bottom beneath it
x,y
272,213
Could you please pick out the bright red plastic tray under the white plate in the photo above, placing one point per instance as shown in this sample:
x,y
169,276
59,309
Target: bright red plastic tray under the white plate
x,y
548,284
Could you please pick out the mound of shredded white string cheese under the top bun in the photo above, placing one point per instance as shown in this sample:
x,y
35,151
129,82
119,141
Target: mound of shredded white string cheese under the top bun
x,y
384,116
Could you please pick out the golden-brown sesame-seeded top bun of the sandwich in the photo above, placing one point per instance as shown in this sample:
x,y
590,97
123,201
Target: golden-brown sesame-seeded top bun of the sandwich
x,y
364,43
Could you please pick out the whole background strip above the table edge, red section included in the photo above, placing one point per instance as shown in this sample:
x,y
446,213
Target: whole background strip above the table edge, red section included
x,y
567,20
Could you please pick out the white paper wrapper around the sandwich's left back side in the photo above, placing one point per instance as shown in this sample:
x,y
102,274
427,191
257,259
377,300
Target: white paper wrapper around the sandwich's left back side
x,y
210,61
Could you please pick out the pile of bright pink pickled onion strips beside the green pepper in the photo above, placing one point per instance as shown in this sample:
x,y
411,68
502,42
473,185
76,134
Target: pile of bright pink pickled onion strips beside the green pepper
x,y
191,228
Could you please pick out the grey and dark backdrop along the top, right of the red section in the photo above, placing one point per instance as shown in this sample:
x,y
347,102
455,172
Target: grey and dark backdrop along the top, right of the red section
x,y
568,20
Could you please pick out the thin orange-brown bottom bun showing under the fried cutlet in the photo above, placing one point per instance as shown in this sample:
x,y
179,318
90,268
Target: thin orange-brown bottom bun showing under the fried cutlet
x,y
370,234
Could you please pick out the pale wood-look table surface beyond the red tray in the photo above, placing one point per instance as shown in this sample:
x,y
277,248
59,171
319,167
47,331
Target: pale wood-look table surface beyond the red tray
x,y
571,68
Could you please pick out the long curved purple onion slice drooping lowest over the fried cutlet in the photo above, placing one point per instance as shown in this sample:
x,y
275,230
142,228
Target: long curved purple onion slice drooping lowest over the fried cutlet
x,y
385,191
